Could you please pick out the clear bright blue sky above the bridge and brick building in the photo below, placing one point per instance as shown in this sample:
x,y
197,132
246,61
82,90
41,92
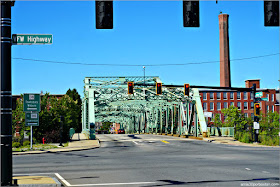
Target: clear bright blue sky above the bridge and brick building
x,y
145,32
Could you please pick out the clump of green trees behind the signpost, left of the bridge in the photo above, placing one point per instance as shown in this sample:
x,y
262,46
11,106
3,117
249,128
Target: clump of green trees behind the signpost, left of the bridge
x,y
52,108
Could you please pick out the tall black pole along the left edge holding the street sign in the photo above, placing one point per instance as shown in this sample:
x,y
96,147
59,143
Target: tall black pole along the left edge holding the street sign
x,y
6,95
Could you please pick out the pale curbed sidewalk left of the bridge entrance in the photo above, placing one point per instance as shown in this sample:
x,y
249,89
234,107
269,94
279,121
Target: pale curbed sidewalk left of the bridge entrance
x,y
79,142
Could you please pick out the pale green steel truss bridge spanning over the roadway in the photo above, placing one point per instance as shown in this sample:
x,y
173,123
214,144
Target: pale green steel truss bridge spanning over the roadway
x,y
106,100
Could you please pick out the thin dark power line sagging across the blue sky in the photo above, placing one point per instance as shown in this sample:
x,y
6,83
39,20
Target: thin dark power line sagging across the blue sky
x,y
183,64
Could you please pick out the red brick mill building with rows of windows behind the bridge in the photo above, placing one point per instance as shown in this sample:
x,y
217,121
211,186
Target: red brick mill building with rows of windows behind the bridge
x,y
215,100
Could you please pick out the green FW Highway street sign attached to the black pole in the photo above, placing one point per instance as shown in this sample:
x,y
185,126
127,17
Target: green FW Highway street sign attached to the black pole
x,y
29,39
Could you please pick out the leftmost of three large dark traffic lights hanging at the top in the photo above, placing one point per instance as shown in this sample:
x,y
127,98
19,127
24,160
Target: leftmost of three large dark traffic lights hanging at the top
x,y
104,14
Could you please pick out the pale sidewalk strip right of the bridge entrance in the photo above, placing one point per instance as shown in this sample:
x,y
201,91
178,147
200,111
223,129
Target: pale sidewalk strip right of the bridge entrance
x,y
232,141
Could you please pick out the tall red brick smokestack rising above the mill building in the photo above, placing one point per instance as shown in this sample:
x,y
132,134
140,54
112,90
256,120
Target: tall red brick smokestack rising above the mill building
x,y
224,51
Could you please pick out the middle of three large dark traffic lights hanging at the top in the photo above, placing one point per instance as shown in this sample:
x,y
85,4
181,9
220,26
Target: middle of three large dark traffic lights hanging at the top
x,y
191,13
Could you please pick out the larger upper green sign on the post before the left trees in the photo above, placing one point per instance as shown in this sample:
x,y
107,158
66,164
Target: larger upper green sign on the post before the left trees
x,y
31,102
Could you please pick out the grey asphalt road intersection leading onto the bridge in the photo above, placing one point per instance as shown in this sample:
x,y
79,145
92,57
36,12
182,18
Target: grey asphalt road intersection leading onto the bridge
x,y
154,160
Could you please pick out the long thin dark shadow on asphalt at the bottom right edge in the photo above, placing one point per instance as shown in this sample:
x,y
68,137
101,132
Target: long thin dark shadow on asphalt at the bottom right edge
x,y
208,182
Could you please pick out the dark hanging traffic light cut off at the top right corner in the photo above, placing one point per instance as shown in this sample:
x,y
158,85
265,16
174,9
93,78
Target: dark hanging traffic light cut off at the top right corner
x,y
271,13
